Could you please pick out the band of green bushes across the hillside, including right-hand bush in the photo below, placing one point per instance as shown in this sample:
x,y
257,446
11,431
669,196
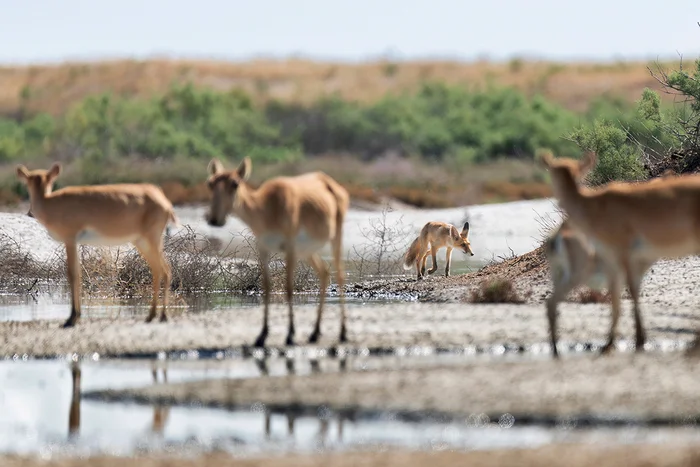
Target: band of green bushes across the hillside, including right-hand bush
x,y
447,124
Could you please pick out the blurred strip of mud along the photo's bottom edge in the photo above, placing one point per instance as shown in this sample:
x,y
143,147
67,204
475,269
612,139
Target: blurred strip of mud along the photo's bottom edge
x,y
569,455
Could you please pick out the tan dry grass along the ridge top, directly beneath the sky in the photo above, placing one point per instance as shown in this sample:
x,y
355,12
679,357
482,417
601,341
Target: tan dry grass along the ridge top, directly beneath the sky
x,y
54,88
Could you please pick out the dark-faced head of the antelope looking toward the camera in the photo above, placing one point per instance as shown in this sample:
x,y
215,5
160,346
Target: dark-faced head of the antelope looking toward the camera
x,y
224,187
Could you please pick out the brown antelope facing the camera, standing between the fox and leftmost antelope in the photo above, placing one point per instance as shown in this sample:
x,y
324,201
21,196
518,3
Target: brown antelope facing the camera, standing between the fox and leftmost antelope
x,y
296,216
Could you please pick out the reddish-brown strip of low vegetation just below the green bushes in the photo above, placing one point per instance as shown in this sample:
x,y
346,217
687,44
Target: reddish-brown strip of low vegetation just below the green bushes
x,y
410,180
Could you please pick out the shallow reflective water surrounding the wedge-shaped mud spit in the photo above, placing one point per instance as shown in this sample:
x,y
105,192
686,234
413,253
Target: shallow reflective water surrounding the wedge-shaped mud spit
x,y
41,412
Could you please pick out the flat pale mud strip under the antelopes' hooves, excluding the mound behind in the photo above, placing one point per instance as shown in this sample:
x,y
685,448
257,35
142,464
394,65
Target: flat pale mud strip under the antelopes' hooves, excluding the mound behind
x,y
374,328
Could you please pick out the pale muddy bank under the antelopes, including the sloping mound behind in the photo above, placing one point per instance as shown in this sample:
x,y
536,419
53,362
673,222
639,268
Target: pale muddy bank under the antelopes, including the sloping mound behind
x,y
669,300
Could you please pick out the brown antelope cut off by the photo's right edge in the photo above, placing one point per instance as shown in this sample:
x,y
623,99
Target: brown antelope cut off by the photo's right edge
x,y
631,225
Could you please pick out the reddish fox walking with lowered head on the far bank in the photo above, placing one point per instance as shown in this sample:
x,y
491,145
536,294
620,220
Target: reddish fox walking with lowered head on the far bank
x,y
433,236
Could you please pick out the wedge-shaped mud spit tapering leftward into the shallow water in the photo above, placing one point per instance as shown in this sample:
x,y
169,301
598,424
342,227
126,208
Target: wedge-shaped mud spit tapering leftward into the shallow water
x,y
624,389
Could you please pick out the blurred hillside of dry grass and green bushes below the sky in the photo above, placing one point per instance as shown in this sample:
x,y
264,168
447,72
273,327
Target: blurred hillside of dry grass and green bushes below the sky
x,y
430,134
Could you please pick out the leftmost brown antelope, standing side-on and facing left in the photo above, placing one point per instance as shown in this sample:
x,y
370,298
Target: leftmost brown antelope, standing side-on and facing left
x,y
105,215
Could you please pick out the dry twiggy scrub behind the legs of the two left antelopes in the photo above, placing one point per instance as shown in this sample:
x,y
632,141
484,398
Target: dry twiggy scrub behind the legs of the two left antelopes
x,y
198,267
